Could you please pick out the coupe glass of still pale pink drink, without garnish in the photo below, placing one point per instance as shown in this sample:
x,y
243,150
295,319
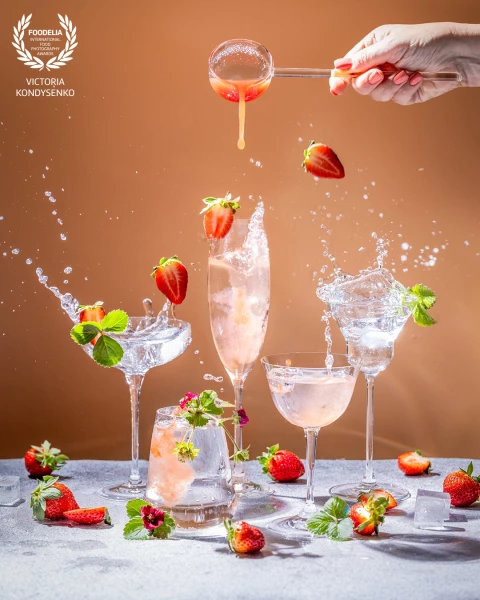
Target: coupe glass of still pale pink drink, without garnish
x,y
310,395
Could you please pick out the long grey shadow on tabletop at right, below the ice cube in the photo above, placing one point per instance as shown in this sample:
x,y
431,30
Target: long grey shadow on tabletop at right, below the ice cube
x,y
428,547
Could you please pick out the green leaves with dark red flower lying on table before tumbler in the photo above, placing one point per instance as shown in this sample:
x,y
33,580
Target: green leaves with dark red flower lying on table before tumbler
x,y
147,522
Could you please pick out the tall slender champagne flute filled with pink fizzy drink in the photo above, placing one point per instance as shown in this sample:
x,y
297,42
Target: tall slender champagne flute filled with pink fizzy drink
x,y
239,301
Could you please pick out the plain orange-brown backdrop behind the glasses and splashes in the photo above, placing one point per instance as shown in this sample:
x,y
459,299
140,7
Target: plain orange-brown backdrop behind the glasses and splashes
x,y
145,139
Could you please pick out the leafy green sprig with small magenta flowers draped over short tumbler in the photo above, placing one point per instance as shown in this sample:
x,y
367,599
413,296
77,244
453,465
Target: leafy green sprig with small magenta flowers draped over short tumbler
x,y
198,410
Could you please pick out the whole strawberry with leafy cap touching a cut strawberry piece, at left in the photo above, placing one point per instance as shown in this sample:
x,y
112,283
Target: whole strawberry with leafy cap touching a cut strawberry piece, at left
x,y
50,500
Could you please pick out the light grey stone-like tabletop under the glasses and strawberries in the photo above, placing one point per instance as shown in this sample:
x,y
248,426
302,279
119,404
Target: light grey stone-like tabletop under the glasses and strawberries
x,y
45,561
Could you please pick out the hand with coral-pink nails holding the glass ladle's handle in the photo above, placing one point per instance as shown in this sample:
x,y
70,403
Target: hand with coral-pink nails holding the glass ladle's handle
x,y
410,49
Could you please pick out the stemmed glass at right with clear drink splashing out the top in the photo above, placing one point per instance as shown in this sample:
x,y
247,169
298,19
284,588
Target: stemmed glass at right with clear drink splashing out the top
x,y
370,329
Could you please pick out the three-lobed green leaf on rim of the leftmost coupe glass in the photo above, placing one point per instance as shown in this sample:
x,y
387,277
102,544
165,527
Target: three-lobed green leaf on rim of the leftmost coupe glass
x,y
106,351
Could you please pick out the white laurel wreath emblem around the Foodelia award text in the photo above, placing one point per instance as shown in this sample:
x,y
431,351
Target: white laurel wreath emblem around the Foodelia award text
x,y
33,61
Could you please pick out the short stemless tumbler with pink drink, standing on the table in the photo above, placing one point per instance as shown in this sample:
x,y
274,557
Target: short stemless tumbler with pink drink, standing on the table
x,y
197,494
